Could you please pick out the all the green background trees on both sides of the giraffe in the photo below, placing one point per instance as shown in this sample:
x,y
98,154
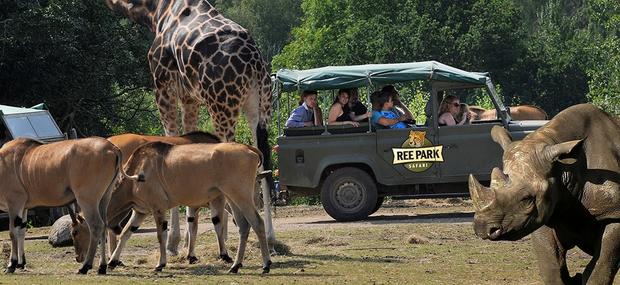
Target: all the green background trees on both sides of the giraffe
x,y
89,65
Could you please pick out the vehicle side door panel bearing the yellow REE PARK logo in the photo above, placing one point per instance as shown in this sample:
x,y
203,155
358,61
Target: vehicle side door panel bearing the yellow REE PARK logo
x,y
401,152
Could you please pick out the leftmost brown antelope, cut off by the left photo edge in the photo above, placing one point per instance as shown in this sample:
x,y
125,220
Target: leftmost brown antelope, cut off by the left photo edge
x,y
56,174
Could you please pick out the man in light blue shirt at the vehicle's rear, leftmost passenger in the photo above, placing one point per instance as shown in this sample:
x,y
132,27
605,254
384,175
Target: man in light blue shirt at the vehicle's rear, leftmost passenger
x,y
307,114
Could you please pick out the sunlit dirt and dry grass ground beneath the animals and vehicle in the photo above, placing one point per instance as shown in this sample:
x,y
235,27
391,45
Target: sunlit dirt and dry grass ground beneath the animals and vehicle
x,y
405,242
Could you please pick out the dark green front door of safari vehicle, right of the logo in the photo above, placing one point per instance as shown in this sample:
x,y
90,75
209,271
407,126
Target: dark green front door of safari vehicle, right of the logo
x,y
468,149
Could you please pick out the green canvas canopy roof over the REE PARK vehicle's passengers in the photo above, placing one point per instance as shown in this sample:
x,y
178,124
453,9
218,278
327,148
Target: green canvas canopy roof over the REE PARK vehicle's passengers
x,y
337,77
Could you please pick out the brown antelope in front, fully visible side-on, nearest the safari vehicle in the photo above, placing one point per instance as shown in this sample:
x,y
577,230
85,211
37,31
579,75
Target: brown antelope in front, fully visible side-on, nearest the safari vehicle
x,y
192,175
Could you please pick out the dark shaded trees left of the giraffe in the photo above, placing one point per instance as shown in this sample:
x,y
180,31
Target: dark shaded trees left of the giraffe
x,y
76,57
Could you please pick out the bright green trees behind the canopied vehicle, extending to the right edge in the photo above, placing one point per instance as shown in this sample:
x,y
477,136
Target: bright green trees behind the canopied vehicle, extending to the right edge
x,y
550,53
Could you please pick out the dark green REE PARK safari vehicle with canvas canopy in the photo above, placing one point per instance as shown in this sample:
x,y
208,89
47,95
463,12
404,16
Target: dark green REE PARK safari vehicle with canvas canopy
x,y
355,168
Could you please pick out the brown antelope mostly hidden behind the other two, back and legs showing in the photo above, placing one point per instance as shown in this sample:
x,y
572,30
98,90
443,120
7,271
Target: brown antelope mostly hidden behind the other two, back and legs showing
x,y
128,143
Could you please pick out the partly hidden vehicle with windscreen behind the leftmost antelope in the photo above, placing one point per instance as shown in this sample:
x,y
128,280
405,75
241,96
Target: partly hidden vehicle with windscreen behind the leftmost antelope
x,y
37,123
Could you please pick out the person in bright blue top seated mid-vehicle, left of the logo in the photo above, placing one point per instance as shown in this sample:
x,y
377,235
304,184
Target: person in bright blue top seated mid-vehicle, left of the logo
x,y
382,114
